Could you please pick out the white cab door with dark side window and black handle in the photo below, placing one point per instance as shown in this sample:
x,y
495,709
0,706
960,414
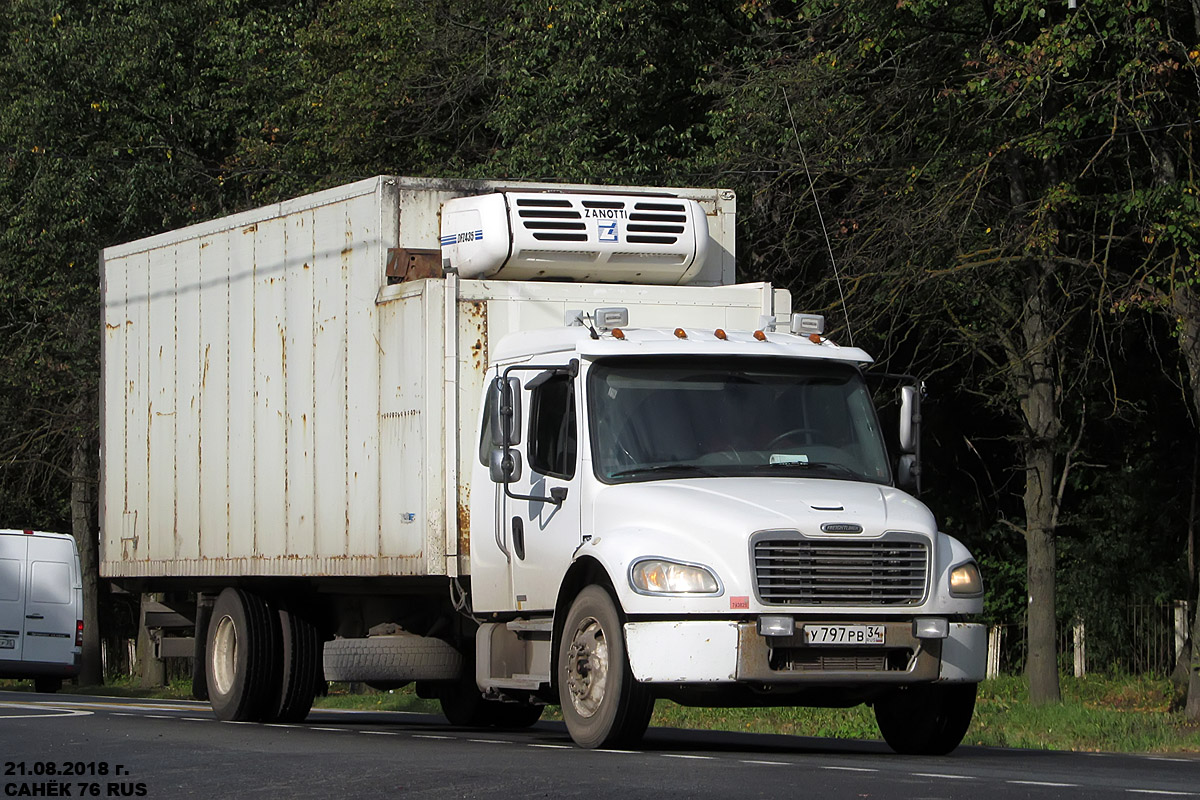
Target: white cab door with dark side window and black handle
x,y
541,509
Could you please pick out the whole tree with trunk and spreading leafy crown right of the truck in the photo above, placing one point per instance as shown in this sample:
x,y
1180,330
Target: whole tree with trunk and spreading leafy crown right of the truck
x,y
971,160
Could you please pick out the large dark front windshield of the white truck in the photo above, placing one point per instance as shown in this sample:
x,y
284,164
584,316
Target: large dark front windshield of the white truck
x,y
658,418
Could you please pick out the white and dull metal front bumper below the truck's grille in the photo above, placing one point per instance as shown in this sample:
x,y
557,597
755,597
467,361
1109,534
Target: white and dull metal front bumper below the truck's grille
x,y
729,652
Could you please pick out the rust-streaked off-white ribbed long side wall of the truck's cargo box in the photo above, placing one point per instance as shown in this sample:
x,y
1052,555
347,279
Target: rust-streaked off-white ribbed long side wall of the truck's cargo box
x,y
243,359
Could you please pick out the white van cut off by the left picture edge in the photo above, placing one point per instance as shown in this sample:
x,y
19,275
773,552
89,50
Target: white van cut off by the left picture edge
x,y
41,607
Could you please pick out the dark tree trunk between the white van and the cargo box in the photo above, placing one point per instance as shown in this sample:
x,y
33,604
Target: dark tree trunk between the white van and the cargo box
x,y
86,532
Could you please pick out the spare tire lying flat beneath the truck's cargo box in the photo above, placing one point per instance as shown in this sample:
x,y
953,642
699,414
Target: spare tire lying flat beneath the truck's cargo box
x,y
399,658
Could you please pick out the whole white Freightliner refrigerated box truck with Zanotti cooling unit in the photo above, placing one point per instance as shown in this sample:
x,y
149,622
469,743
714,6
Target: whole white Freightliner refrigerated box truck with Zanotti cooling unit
x,y
521,444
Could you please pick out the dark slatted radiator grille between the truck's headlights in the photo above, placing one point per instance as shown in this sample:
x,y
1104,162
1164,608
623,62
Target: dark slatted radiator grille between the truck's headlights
x,y
796,572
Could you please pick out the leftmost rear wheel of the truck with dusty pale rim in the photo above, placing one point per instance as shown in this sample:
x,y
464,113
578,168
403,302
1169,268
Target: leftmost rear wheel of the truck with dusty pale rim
x,y
243,658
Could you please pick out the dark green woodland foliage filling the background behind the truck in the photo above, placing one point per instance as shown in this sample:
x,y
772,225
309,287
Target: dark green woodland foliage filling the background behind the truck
x,y
1005,190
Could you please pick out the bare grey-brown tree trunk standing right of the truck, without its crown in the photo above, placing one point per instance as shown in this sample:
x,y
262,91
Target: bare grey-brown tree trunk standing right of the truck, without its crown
x,y
1041,412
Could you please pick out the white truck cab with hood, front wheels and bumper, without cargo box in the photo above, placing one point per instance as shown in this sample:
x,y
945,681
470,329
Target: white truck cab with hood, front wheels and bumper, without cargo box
x,y
711,516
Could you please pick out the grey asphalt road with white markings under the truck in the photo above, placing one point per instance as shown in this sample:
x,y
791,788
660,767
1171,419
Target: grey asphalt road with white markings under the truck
x,y
104,748
